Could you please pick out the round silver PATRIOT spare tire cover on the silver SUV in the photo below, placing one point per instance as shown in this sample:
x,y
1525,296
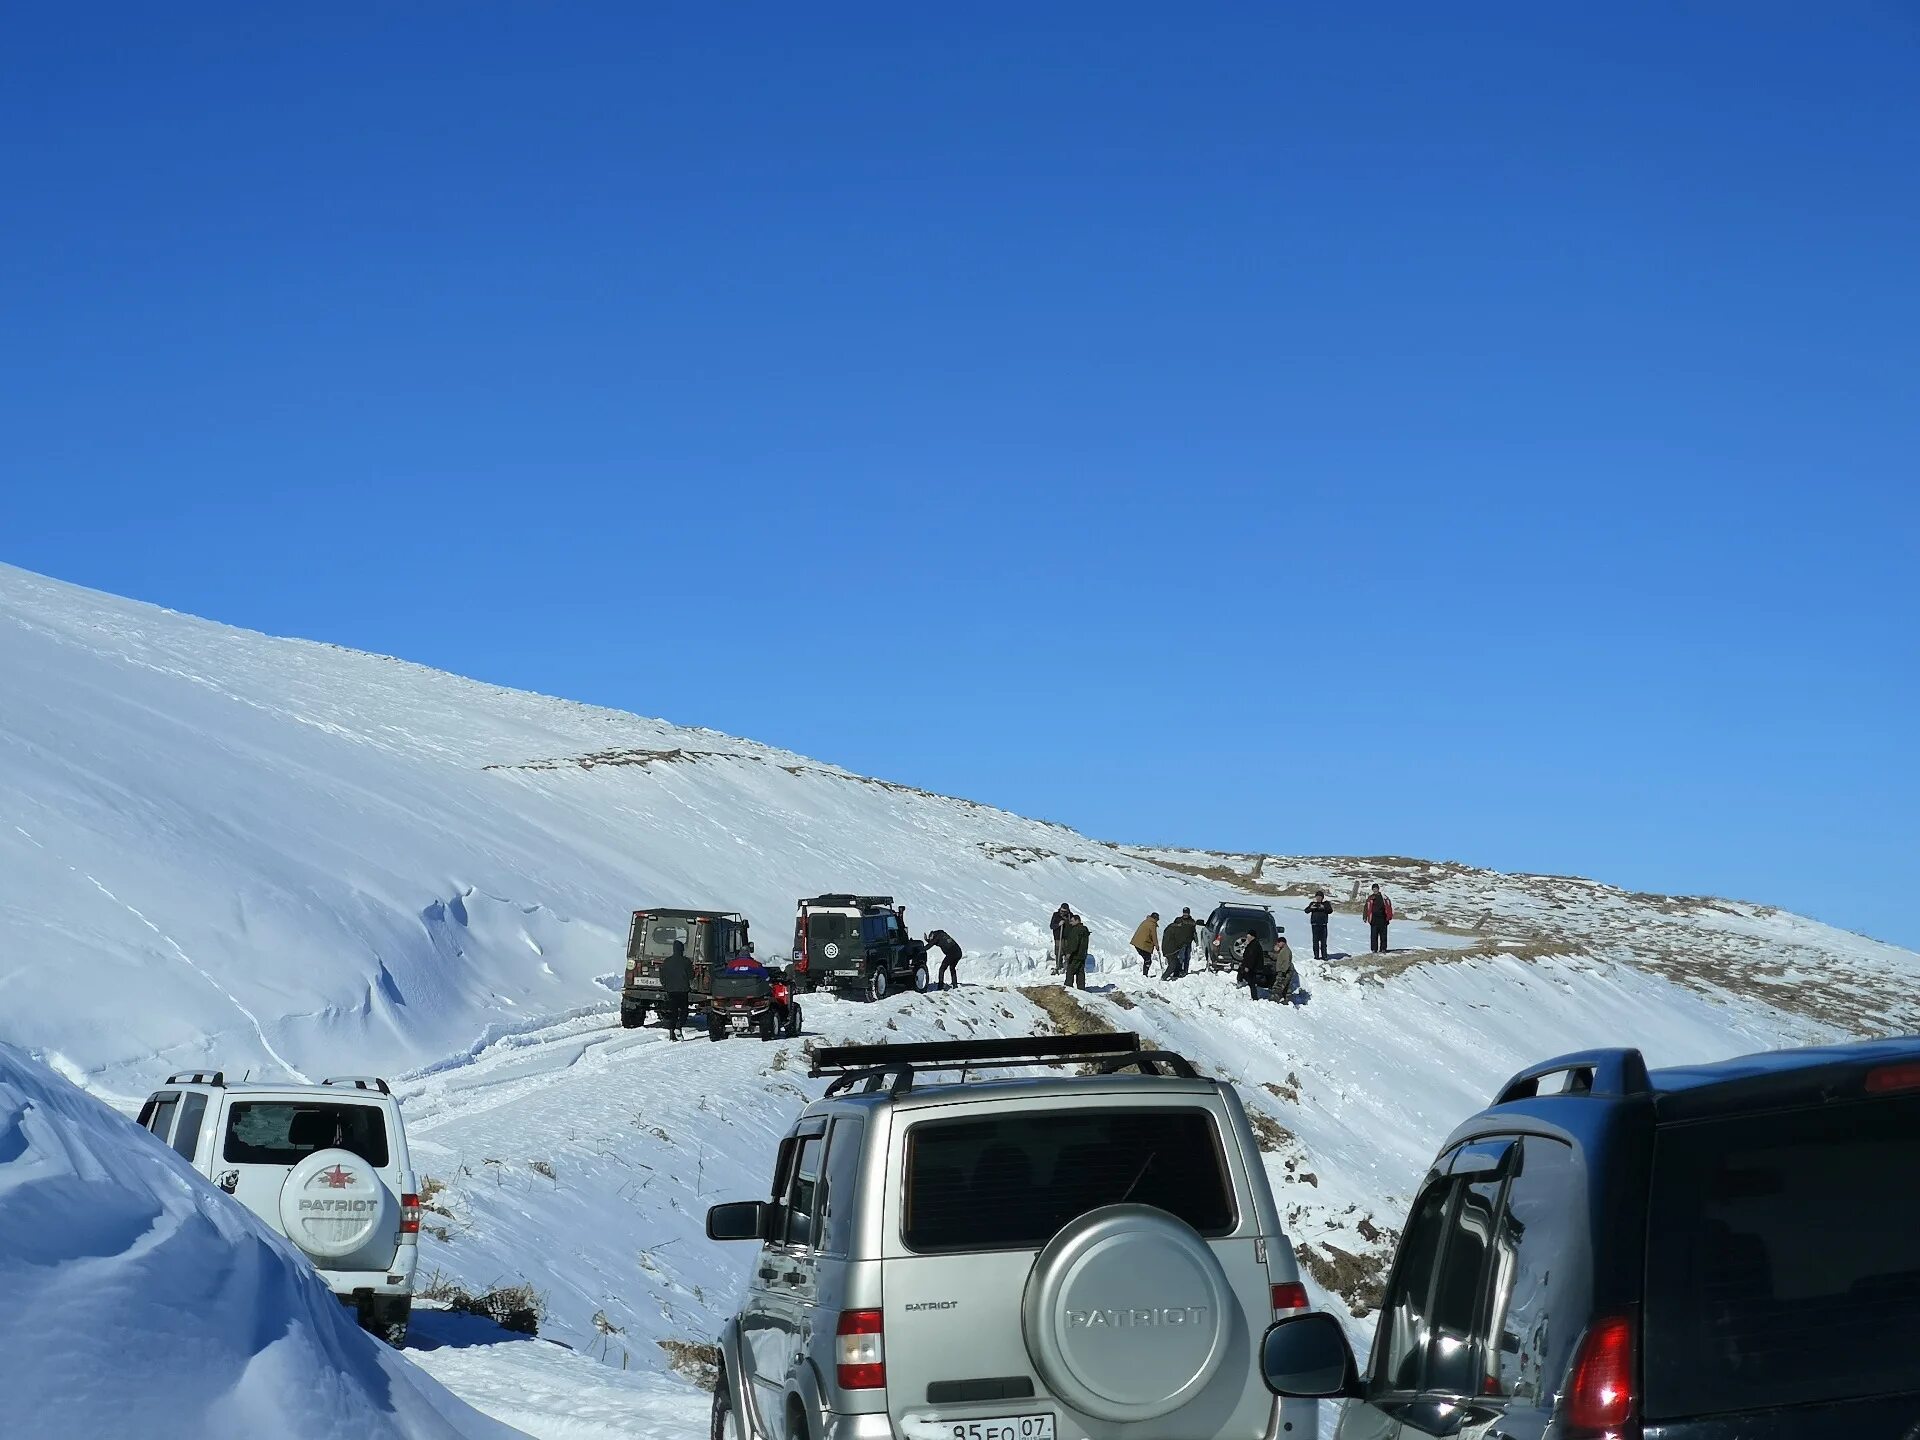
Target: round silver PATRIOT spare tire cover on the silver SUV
x,y
1128,1314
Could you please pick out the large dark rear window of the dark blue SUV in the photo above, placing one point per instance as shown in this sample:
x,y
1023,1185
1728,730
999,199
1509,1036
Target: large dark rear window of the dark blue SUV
x,y
1785,1260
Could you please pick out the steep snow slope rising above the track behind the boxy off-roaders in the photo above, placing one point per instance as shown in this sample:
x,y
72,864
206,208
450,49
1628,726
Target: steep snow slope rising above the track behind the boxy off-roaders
x,y
293,857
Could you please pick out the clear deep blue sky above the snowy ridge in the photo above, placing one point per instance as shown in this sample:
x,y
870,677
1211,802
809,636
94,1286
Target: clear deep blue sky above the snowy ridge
x,y
1458,431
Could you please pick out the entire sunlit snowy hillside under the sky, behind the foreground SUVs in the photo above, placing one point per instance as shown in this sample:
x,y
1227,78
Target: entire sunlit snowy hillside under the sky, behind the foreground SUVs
x,y
228,850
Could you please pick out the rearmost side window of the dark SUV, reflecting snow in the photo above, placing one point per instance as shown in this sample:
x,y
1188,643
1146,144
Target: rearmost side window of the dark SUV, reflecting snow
x,y
1541,1295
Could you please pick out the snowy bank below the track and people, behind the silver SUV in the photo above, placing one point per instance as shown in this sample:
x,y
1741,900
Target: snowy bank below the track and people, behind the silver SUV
x,y
583,1157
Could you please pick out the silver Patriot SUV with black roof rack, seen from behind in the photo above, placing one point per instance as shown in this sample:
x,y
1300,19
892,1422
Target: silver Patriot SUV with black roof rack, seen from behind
x,y
1059,1259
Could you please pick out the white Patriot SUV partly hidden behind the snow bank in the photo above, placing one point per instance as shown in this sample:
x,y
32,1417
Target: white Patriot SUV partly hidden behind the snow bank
x,y
324,1164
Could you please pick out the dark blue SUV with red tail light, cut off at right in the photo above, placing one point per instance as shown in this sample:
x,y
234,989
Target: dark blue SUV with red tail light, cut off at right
x,y
1723,1253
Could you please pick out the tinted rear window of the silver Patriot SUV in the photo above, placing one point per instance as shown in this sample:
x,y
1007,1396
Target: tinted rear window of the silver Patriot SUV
x,y
1013,1182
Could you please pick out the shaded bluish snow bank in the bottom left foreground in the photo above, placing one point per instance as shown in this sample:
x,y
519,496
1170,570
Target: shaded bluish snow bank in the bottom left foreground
x,y
141,1301
